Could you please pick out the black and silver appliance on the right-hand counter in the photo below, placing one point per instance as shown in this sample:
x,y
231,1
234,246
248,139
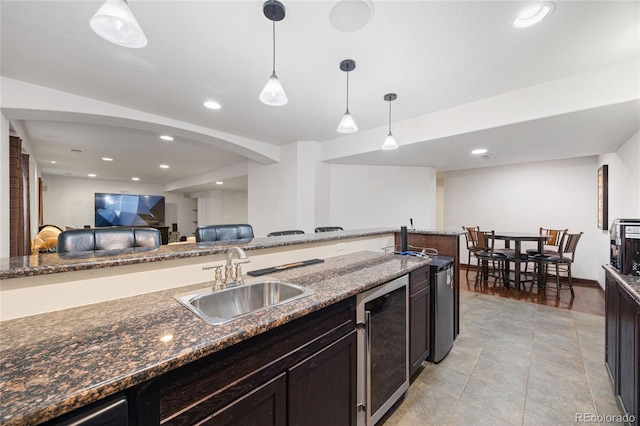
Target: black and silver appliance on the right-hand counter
x,y
625,246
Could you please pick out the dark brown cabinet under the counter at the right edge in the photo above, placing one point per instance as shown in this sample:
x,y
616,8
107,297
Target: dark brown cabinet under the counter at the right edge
x,y
622,327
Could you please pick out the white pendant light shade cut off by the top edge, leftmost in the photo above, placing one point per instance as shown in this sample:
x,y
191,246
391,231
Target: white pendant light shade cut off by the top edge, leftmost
x,y
115,22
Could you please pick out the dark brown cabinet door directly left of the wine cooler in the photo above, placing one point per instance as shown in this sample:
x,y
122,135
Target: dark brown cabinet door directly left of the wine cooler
x,y
322,388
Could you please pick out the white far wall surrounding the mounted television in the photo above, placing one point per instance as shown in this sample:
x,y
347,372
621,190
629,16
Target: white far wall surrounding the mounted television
x,y
70,201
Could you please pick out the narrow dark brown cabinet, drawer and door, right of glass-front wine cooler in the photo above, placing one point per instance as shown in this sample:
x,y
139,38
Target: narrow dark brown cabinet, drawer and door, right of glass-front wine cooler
x,y
419,327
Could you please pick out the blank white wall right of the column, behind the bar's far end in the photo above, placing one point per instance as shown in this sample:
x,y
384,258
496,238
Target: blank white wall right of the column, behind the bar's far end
x,y
381,196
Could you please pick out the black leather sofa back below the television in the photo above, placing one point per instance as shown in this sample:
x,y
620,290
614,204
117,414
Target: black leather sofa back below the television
x,y
78,240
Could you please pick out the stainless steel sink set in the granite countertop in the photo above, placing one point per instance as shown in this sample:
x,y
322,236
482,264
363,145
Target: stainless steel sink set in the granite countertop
x,y
219,307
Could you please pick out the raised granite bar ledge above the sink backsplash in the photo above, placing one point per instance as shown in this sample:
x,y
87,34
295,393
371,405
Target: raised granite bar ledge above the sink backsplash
x,y
51,263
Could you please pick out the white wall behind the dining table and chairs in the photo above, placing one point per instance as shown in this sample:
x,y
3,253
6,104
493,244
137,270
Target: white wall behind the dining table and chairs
x,y
522,198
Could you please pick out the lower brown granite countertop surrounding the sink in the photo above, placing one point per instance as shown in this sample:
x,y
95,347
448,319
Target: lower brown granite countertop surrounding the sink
x,y
56,362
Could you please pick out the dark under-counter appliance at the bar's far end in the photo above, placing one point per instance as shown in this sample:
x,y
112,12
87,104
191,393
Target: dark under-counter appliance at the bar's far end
x,y
442,318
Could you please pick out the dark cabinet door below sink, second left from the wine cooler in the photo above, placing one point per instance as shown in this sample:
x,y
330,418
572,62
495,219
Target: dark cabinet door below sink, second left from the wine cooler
x,y
265,406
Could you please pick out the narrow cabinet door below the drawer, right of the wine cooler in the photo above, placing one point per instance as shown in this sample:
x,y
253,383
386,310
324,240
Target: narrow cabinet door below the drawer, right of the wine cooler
x,y
419,341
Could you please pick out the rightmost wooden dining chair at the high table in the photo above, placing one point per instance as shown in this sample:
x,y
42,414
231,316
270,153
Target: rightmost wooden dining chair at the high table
x,y
562,260
